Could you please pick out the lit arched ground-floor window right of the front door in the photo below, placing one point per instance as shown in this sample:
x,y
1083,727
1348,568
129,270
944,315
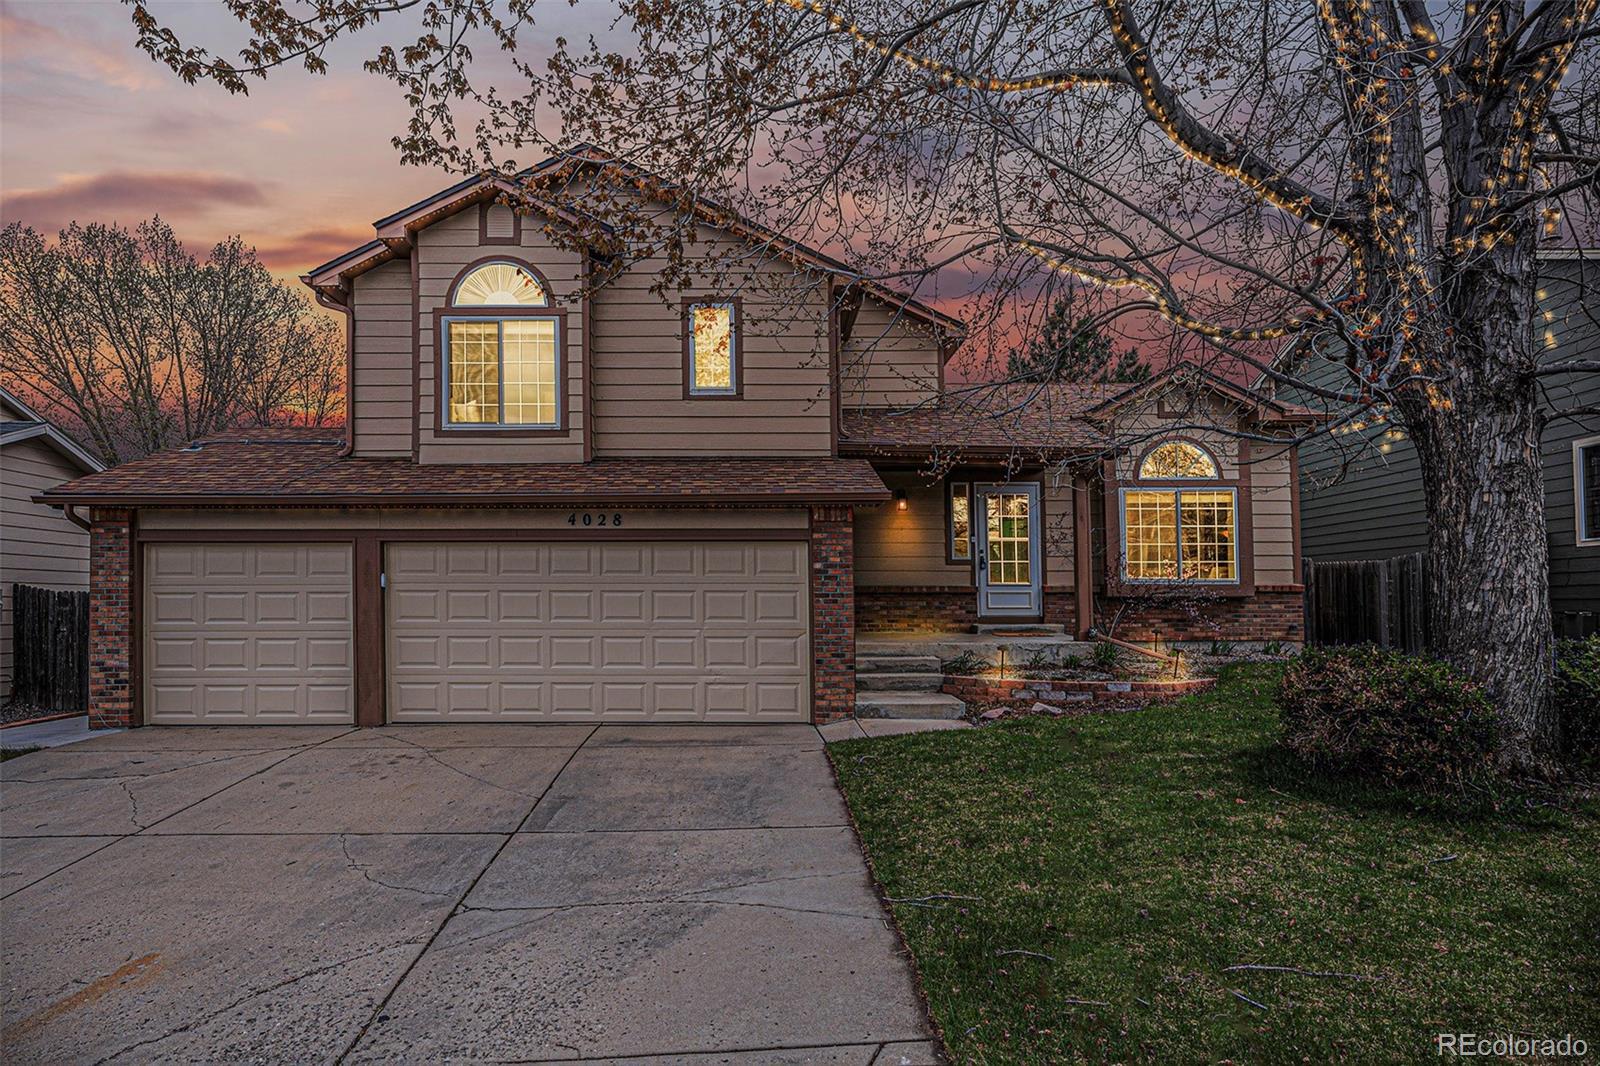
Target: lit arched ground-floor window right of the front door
x,y
1174,534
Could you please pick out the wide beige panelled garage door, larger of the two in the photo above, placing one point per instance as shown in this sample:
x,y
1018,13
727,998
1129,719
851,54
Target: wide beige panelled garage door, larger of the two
x,y
618,631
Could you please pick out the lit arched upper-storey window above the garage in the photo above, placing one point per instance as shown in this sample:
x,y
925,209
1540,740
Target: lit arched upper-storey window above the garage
x,y
502,355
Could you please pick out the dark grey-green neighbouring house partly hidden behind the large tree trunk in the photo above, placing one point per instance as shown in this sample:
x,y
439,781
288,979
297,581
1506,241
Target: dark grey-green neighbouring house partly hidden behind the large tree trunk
x,y
1362,494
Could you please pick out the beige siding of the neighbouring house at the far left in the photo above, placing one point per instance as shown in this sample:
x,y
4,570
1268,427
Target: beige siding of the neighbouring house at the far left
x,y
38,543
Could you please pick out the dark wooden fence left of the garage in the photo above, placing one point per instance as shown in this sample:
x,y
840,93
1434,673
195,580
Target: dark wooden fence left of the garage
x,y
50,644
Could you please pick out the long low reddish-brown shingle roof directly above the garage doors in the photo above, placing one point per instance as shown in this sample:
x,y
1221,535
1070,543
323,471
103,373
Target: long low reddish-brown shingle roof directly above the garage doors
x,y
303,468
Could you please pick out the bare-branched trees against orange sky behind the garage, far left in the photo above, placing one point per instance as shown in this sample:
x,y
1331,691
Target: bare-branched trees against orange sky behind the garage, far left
x,y
138,347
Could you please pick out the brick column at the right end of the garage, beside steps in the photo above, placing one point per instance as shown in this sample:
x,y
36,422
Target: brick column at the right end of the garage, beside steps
x,y
833,615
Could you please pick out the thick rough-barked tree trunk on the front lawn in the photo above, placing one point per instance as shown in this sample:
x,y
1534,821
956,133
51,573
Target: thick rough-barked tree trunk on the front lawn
x,y
1484,481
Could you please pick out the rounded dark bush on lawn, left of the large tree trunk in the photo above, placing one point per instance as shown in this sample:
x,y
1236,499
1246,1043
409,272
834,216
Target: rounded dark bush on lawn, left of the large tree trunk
x,y
1398,719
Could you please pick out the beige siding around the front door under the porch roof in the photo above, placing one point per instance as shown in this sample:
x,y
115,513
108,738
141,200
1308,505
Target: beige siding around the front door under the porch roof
x,y
906,548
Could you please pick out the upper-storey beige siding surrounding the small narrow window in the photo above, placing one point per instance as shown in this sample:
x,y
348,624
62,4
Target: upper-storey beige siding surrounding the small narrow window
x,y
639,404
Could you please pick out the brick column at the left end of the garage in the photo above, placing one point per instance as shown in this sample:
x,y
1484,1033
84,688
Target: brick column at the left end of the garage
x,y
111,620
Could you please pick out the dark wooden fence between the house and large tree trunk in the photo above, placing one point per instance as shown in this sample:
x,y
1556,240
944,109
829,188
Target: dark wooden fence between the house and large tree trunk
x,y
1372,601
